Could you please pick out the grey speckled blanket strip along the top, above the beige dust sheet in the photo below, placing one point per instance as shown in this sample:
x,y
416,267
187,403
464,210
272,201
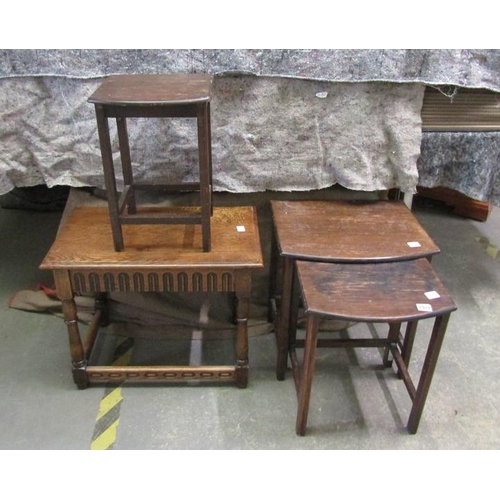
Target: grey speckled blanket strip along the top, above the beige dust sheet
x,y
462,67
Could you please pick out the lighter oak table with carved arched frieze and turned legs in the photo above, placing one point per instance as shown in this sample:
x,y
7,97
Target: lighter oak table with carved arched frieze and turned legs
x,y
157,258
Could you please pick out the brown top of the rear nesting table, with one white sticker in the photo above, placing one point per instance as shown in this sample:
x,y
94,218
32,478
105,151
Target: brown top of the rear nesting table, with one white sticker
x,y
350,231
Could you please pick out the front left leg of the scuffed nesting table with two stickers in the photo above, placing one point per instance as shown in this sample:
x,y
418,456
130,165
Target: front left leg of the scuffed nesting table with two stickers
x,y
307,373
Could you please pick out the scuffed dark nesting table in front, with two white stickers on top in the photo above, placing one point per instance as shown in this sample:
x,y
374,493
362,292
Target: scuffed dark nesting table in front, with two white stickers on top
x,y
393,293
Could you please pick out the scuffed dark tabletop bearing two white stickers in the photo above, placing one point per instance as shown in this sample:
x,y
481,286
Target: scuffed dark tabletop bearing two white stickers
x,y
387,292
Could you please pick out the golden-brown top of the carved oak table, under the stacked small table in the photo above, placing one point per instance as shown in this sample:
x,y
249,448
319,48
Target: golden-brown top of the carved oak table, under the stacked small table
x,y
85,241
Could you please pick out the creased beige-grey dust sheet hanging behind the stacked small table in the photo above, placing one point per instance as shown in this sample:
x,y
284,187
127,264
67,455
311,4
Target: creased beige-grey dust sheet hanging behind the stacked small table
x,y
267,134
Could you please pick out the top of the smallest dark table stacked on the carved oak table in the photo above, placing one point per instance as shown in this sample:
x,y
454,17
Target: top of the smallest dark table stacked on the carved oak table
x,y
141,90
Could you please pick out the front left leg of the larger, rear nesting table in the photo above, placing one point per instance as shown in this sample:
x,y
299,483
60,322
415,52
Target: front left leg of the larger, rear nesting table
x,y
284,318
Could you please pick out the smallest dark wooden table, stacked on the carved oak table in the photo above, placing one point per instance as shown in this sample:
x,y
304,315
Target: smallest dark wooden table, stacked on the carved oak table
x,y
153,96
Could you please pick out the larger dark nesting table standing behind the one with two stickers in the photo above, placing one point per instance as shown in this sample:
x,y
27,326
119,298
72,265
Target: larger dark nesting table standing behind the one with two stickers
x,y
342,231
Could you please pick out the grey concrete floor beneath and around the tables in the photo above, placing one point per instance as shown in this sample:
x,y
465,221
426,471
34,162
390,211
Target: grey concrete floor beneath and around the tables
x,y
355,404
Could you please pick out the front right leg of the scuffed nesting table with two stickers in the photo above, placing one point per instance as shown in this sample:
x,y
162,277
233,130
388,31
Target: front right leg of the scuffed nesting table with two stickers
x,y
435,343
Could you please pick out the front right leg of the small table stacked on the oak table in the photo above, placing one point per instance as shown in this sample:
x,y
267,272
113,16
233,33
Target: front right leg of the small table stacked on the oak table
x,y
205,174
